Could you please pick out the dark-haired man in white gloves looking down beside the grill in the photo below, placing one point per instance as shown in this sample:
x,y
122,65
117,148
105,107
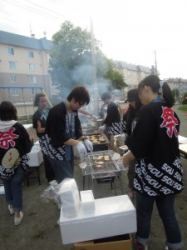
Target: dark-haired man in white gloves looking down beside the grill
x,y
63,133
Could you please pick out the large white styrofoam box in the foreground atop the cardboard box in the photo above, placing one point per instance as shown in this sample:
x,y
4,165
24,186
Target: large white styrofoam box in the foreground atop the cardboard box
x,y
113,216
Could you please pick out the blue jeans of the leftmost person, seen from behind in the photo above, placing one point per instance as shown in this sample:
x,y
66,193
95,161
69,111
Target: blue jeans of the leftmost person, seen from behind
x,y
13,189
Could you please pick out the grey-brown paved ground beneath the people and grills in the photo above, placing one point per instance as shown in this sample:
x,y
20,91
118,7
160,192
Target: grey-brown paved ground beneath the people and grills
x,y
40,230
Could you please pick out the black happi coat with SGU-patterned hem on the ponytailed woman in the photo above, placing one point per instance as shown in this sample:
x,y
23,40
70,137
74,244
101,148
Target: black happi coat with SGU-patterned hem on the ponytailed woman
x,y
154,143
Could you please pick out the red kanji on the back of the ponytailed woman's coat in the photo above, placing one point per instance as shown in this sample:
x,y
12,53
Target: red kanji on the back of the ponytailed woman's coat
x,y
169,121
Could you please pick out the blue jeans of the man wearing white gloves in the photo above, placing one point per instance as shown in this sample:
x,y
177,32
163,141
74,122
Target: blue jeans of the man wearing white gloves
x,y
62,169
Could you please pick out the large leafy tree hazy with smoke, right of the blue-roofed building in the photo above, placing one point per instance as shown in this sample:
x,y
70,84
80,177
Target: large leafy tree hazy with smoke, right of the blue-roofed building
x,y
75,58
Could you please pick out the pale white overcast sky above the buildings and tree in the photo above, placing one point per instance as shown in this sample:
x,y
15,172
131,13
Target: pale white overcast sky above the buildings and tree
x,y
128,30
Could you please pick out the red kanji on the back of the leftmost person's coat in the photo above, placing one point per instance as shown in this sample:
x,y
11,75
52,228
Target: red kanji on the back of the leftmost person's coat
x,y
7,139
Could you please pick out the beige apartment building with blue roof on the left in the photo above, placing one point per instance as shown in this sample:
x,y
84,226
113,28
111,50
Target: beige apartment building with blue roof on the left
x,y
23,70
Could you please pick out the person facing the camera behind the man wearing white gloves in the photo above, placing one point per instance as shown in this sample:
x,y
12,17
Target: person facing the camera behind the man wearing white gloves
x,y
39,122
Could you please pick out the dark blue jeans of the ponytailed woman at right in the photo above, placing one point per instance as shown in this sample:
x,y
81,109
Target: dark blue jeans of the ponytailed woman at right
x,y
165,206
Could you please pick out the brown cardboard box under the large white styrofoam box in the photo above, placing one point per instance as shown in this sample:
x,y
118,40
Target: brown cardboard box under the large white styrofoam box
x,y
125,243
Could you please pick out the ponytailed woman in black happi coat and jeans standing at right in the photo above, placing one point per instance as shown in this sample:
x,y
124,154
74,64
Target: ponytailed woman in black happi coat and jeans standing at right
x,y
158,174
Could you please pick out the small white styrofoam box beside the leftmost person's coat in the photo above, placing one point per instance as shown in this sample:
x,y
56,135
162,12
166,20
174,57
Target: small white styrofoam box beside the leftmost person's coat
x,y
35,156
